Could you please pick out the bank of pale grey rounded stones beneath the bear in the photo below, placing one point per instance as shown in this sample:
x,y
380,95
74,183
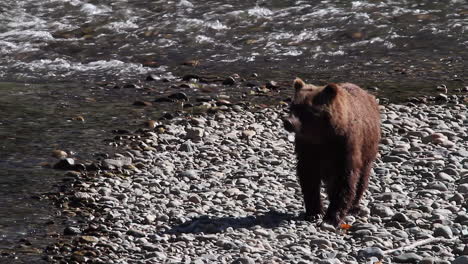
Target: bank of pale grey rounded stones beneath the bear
x,y
221,188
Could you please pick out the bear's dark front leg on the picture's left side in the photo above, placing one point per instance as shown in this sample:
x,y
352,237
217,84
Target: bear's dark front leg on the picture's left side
x,y
310,187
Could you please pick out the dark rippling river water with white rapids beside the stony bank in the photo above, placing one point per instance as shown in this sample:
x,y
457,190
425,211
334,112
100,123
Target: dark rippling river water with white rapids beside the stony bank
x,y
61,59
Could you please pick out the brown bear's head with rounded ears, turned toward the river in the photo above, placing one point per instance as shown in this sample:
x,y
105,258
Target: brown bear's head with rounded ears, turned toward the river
x,y
311,111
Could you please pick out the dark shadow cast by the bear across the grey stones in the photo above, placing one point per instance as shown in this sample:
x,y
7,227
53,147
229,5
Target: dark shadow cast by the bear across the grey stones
x,y
212,225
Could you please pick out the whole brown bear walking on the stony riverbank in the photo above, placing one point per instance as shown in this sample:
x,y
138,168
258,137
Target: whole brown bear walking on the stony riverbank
x,y
337,132
